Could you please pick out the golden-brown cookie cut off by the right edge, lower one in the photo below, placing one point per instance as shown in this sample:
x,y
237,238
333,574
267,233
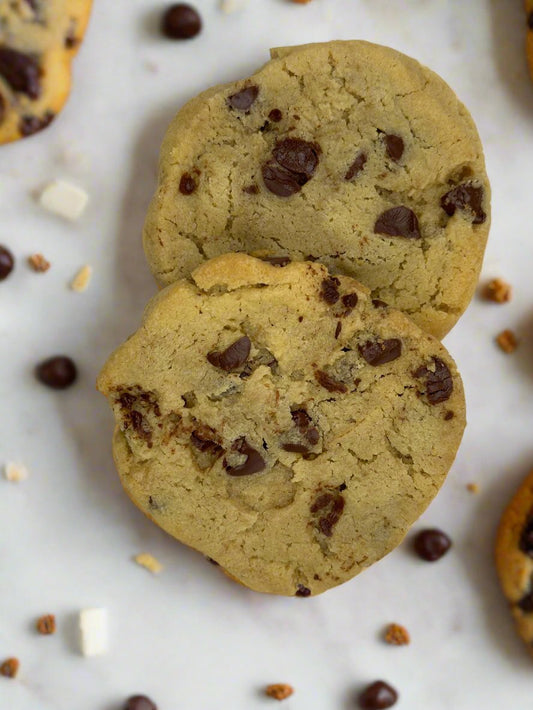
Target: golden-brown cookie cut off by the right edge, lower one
x,y
514,558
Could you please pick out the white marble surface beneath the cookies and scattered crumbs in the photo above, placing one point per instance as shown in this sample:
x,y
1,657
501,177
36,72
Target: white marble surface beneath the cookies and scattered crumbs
x,y
190,638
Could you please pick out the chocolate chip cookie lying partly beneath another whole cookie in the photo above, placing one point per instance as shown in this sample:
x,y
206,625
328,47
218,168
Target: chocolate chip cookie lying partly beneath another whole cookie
x,y
346,151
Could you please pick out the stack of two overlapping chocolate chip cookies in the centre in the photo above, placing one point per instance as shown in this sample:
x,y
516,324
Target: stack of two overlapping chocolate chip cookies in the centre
x,y
273,412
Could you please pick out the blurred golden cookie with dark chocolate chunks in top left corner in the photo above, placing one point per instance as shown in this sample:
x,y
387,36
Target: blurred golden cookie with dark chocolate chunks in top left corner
x,y
38,40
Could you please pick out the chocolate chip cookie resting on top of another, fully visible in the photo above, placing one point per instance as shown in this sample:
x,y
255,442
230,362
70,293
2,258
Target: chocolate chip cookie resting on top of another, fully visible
x,y
282,423
